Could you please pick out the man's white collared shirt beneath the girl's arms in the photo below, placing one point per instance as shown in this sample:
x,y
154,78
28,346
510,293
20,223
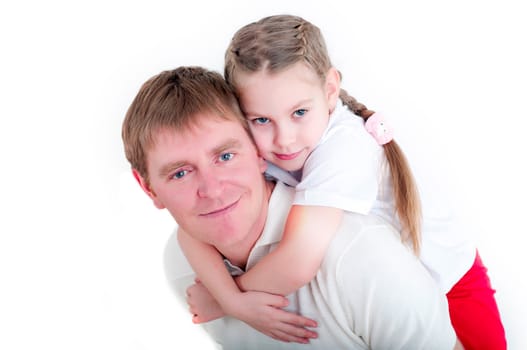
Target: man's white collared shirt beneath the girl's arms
x,y
371,292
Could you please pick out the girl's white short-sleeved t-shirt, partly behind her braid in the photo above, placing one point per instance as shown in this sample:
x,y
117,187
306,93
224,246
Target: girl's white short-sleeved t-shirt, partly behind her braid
x,y
349,170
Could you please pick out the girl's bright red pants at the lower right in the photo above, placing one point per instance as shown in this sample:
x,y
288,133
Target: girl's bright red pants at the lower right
x,y
474,312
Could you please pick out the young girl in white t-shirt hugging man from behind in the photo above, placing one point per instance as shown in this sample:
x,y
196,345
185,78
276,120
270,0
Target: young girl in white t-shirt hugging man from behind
x,y
340,157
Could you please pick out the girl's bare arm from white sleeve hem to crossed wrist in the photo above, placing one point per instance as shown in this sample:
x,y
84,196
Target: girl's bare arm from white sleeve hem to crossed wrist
x,y
307,235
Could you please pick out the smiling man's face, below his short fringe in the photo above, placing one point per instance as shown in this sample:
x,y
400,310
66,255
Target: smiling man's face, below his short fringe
x,y
210,179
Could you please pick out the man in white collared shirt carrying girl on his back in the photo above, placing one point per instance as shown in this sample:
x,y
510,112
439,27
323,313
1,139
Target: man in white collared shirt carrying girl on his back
x,y
191,152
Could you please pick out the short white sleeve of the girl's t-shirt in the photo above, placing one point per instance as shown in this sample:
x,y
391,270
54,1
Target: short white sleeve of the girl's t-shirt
x,y
344,170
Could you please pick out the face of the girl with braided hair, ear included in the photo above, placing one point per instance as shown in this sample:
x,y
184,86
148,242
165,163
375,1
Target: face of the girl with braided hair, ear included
x,y
287,111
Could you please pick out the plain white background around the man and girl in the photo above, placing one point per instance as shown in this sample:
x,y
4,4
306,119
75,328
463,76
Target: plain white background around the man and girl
x,y
81,246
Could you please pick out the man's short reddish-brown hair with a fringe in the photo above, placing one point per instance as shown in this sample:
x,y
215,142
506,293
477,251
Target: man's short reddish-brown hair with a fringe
x,y
173,100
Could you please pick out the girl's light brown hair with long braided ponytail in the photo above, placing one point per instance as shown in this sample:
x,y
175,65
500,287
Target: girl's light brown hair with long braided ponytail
x,y
275,43
